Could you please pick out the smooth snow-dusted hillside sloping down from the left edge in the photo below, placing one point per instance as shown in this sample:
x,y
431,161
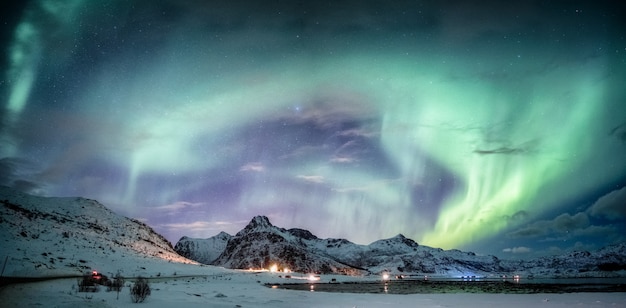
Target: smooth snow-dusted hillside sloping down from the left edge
x,y
68,236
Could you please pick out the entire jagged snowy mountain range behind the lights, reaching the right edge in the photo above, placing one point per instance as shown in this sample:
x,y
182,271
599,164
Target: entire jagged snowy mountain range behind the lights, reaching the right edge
x,y
260,245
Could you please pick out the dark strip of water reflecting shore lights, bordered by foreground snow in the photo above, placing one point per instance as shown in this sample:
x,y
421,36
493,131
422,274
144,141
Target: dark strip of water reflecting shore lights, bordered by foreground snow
x,y
512,286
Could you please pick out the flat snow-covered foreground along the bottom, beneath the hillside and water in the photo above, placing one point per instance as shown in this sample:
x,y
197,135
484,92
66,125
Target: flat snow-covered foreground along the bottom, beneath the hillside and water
x,y
243,290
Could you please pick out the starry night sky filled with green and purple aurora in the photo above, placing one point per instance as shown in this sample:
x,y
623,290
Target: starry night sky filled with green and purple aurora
x,y
496,127
